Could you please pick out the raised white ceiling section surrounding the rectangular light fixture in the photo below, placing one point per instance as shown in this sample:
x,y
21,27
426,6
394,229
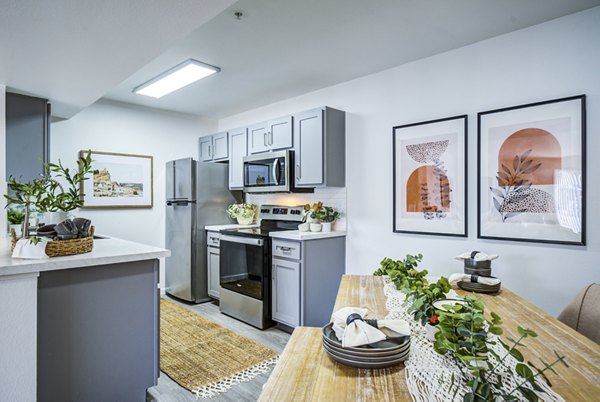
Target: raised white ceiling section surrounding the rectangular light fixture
x,y
280,49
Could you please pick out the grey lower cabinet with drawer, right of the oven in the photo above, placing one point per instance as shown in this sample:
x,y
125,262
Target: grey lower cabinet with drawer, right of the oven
x,y
306,277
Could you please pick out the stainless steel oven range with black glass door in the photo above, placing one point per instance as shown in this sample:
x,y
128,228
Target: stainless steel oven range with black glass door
x,y
245,265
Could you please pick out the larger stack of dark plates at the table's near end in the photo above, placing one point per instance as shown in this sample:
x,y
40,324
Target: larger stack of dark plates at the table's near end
x,y
387,353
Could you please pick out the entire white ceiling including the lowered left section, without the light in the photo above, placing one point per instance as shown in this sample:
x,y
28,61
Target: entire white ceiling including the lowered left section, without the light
x,y
75,52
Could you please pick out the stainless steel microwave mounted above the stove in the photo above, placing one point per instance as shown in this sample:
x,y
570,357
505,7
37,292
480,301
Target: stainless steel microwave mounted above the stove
x,y
270,172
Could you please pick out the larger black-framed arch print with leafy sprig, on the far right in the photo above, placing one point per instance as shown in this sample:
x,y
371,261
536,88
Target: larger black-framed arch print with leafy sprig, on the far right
x,y
531,175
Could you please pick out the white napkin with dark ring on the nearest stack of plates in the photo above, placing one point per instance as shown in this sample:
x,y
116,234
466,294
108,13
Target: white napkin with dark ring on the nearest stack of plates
x,y
359,332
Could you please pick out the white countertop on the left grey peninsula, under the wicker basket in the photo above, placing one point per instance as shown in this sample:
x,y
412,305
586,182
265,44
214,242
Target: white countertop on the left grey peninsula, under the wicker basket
x,y
106,251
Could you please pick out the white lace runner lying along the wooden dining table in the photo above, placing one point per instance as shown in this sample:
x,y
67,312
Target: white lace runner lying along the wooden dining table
x,y
434,377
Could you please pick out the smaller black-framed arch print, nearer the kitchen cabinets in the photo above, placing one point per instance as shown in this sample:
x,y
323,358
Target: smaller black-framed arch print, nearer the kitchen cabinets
x,y
430,177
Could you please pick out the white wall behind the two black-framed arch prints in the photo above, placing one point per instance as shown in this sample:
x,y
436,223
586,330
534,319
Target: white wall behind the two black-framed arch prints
x,y
551,60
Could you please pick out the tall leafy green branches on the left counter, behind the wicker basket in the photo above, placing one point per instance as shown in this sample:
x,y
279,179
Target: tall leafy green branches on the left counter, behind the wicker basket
x,y
56,190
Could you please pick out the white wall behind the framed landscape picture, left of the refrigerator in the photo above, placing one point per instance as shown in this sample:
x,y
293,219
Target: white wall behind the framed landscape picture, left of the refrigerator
x,y
117,127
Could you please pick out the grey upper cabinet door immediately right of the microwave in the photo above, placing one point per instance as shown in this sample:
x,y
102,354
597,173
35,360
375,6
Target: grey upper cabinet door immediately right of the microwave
x,y
308,140
